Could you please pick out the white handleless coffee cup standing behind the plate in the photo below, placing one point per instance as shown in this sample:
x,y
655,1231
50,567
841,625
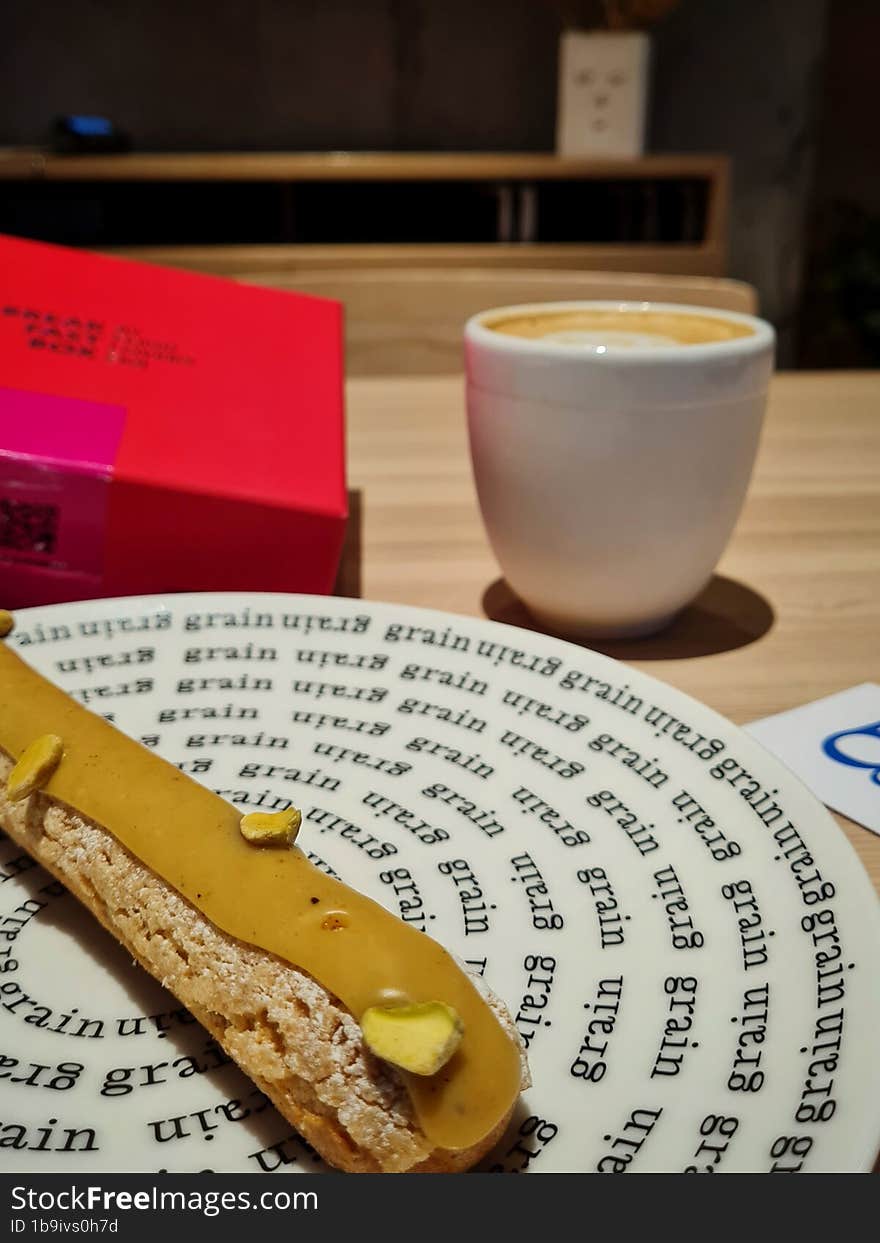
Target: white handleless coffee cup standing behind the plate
x,y
612,468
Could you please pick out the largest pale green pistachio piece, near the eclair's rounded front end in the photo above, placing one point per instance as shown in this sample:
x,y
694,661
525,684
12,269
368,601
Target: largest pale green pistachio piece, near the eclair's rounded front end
x,y
419,1039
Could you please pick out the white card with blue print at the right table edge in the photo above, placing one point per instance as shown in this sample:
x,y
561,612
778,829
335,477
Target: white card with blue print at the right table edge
x,y
835,746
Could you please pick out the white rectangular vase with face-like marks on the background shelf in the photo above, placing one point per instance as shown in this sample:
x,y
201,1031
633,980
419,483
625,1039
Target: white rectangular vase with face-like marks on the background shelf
x,y
603,94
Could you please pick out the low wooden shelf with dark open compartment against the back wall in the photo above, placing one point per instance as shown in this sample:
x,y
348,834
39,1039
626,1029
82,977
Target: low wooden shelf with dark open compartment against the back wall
x,y
656,214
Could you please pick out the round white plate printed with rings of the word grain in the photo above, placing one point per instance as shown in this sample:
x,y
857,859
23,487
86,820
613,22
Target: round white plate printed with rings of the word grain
x,y
687,940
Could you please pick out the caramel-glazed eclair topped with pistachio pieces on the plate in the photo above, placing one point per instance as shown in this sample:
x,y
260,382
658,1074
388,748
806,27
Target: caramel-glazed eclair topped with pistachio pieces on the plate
x,y
365,1034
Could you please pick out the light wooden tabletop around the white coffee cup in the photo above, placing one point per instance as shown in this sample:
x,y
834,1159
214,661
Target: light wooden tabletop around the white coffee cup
x,y
794,612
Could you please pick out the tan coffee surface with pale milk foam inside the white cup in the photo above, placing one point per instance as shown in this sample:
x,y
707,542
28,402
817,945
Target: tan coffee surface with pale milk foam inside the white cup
x,y
621,329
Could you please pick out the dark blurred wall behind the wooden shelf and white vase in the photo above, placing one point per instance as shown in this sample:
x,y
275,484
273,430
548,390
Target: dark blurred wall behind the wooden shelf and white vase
x,y
749,78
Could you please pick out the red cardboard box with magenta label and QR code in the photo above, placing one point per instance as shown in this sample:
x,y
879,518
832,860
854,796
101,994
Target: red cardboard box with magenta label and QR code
x,y
163,432
